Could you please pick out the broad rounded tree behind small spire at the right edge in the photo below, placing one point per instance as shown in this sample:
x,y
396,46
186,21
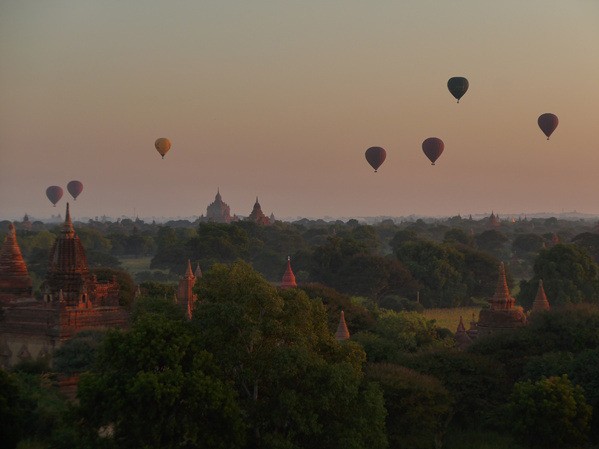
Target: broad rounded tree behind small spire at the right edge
x,y
569,274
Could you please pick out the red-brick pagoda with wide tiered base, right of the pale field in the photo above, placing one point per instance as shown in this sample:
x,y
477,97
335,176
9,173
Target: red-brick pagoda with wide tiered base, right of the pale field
x,y
502,312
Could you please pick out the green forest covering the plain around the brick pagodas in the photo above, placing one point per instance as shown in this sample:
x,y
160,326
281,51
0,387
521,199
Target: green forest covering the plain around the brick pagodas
x,y
258,366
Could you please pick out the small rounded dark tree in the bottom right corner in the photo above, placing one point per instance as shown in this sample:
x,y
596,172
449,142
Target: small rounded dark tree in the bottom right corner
x,y
550,413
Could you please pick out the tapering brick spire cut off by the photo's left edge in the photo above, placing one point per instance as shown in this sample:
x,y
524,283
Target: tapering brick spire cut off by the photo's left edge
x,y
15,281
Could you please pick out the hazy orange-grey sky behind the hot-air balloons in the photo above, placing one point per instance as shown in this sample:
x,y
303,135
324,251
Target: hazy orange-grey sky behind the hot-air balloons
x,y
280,99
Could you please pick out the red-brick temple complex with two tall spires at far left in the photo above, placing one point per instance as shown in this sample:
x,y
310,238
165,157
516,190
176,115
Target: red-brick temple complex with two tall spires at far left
x,y
73,299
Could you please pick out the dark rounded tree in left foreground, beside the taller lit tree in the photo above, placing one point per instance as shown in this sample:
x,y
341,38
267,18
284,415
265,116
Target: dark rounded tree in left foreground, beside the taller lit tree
x,y
156,388
